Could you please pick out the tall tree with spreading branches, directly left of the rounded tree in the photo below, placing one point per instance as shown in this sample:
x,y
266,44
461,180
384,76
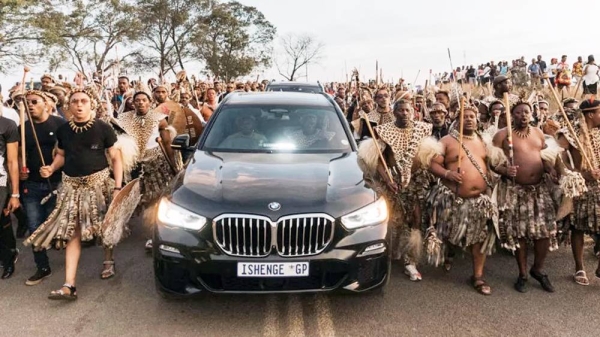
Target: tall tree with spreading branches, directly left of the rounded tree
x,y
168,28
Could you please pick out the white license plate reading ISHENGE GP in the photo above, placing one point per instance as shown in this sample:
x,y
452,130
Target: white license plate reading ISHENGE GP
x,y
272,269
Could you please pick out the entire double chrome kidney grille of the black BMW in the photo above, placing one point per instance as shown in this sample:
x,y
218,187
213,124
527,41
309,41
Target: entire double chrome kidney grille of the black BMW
x,y
254,236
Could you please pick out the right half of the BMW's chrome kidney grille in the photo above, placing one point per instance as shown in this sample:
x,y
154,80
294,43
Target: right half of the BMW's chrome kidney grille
x,y
303,236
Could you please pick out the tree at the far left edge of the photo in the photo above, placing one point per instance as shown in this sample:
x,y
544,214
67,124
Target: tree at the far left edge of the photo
x,y
16,36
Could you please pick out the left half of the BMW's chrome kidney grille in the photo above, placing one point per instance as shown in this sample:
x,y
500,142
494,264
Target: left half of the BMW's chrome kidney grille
x,y
243,236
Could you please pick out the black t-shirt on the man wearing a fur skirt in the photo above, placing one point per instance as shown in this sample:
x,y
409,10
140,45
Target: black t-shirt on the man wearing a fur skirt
x,y
85,152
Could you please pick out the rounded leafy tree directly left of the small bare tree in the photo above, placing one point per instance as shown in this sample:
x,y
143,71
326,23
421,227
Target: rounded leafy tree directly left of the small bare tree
x,y
234,40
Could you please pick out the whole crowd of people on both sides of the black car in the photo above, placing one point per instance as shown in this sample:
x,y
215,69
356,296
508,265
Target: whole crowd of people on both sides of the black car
x,y
460,169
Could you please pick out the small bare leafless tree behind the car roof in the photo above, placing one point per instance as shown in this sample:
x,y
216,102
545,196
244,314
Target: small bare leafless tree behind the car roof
x,y
298,51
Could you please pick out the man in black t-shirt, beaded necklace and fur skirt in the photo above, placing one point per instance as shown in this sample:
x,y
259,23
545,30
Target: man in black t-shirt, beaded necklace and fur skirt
x,y
86,189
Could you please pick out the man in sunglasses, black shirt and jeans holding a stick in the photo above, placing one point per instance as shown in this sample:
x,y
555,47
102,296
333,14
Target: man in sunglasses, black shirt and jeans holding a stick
x,y
40,139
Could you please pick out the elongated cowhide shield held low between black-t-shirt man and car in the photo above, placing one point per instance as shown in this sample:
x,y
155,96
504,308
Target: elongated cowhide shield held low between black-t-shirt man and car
x,y
114,226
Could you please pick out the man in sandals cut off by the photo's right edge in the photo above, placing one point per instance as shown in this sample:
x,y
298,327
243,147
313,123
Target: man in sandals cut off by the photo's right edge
x,y
586,207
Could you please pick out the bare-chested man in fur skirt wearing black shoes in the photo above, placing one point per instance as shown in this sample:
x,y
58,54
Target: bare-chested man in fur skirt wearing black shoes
x,y
526,209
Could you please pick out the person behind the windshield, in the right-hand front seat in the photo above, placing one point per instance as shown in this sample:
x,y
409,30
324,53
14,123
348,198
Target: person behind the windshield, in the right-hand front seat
x,y
310,135
